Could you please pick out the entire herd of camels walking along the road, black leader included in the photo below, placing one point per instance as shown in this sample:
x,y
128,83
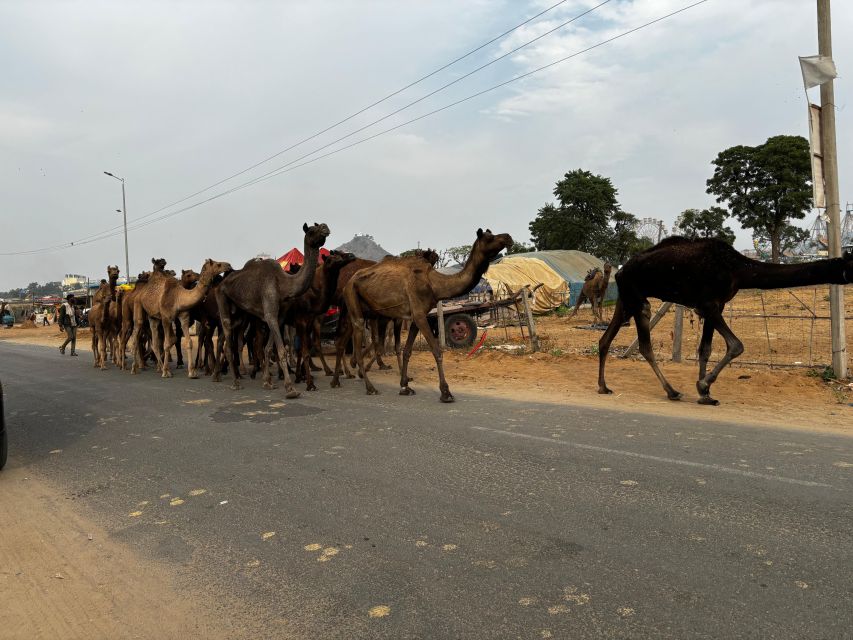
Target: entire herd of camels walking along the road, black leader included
x,y
261,306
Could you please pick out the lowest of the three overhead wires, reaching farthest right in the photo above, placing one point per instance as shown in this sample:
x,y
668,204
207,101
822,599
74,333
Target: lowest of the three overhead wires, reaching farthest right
x,y
291,166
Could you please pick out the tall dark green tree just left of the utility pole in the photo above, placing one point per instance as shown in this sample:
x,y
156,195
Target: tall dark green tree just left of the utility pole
x,y
765,186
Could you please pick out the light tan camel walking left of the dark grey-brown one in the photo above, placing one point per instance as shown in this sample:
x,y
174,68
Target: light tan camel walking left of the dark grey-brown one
x,y
163,300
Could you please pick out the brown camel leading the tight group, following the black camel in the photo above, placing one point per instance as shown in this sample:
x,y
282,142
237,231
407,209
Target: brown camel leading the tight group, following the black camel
x,y
407,289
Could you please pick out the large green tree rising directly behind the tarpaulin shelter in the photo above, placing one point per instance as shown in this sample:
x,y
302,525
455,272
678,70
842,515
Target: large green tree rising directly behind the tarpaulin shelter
x,y
587,217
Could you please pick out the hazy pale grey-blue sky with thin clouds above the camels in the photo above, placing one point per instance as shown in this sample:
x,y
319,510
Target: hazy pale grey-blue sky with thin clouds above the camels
x,y
176,96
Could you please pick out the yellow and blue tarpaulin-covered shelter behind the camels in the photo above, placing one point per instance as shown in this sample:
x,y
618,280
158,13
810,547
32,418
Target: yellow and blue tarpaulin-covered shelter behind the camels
x,y
561,273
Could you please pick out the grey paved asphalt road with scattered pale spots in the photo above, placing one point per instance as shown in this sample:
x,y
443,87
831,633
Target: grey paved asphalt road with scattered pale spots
x,y
481,519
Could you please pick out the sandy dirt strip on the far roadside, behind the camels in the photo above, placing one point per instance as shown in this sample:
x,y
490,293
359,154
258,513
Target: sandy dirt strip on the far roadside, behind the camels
x,y
567,371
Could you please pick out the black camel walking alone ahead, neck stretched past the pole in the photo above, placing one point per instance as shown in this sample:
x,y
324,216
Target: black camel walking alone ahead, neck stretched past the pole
x,y
702,274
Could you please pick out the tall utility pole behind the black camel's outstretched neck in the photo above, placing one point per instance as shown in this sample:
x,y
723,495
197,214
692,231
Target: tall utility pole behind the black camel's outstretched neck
x,y
833,204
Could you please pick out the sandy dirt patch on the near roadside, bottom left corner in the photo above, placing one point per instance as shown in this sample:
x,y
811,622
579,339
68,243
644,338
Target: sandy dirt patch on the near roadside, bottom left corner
x,y
62,577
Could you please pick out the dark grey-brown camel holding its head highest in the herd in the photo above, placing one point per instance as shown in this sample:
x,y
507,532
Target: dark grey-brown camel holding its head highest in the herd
x,y
261,289
